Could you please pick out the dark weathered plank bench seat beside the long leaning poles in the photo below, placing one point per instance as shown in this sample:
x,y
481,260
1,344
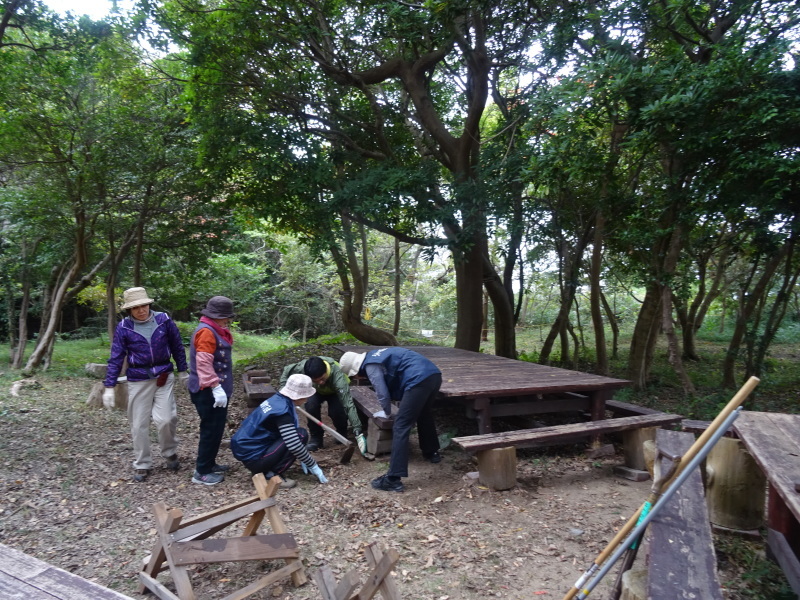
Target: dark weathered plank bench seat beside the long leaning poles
x,y
681,558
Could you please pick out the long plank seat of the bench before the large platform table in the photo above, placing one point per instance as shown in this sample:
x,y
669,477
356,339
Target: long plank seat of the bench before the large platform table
x,y
542,436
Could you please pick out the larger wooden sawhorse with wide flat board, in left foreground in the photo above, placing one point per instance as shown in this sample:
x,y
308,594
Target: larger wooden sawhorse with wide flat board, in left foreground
x,y
181,543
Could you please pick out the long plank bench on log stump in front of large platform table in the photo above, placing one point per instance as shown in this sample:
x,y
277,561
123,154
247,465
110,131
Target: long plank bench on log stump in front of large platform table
x,y
496,452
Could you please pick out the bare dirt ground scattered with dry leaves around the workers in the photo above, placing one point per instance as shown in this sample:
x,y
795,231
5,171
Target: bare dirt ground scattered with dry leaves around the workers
x,y
66,497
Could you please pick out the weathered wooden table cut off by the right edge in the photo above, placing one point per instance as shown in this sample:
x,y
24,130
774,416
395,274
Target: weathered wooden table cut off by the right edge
x,y
773,439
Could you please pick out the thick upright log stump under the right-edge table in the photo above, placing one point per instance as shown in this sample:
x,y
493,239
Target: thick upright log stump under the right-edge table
x,y
736,487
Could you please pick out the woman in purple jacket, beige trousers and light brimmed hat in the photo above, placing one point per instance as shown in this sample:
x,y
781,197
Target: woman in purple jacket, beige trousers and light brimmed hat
x,y
148,340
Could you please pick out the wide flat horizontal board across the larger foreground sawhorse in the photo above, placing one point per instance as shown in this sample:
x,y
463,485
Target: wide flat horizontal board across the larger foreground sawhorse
x,y
251,547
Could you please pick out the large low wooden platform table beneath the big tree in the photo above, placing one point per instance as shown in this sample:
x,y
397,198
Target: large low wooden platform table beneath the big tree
x,y
492,386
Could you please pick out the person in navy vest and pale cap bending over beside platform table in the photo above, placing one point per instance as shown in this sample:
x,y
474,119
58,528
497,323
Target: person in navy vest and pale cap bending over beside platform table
x,y
404,375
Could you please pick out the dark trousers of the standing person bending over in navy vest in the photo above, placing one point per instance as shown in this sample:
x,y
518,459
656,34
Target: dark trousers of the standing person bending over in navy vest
x,y
415,407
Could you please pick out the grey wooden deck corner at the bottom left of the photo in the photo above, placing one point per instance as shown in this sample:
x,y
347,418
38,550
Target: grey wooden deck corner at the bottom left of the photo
x,y
23,577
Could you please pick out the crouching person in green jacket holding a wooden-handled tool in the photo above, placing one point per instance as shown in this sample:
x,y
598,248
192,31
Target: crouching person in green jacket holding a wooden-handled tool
x,y
332,386
